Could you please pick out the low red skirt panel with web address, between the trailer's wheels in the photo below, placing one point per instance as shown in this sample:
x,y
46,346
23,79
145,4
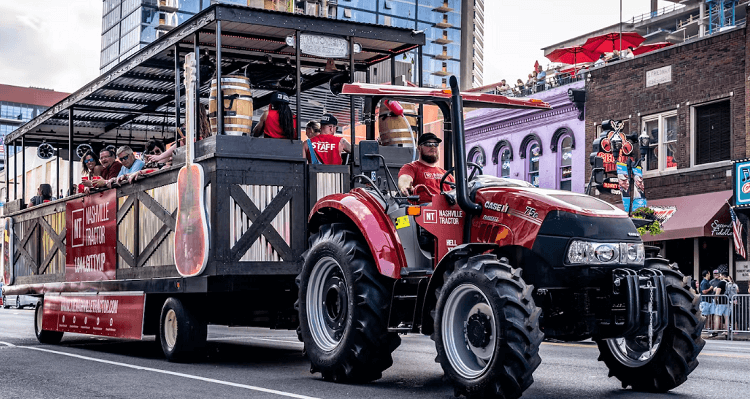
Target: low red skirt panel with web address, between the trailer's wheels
x,y
118,315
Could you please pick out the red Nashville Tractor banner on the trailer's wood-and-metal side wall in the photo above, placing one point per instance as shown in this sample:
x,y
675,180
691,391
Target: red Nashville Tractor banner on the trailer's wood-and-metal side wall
x,y
91,238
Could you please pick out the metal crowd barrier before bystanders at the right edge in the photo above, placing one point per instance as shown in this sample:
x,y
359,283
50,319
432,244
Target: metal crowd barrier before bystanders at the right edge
x,y
726,314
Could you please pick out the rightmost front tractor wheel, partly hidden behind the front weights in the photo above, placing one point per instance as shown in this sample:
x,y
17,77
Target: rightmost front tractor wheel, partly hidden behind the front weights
x,y
675,350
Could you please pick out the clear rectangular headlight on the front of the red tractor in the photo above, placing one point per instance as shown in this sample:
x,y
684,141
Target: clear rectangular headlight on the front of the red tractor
x,y
586,252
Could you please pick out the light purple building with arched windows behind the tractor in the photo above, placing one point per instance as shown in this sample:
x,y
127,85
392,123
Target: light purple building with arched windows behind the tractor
x,y
544,147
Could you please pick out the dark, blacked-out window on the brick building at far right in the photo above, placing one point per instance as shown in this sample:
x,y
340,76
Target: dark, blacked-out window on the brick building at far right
x,y
712,133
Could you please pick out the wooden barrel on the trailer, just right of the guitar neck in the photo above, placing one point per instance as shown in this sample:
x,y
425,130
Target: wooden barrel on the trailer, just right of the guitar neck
x,y
238,105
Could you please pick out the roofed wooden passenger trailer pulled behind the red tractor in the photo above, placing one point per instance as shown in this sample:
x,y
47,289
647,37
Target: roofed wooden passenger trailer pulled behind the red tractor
x,y
104,263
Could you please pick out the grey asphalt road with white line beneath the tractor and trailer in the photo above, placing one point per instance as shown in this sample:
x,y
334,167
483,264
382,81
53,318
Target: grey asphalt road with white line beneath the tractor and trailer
x,y
259,363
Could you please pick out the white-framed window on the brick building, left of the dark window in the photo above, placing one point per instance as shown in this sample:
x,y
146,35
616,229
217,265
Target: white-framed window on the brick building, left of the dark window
x,y
662,152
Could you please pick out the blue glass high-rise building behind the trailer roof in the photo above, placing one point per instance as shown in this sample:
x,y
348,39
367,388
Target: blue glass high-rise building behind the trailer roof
x,y
453,28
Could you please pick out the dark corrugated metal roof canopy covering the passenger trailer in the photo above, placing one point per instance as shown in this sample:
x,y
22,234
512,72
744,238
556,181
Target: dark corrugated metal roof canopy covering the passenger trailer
x,y
134,101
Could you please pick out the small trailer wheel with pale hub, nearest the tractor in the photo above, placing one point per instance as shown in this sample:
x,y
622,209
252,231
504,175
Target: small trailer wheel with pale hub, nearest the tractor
x,y
181,332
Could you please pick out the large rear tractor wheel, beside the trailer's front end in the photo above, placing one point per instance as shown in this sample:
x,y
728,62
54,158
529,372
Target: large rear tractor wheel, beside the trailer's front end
x,y
343,308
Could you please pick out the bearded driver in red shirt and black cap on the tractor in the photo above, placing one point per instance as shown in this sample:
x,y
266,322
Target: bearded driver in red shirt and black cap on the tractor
x,y
425,170
